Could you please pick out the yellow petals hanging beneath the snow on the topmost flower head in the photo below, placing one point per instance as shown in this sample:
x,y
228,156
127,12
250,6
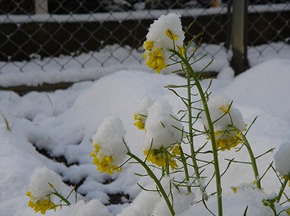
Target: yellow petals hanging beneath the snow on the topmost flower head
x,y
155,60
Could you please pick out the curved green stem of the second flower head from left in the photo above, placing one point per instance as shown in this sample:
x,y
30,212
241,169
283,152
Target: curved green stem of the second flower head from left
x,y
156,180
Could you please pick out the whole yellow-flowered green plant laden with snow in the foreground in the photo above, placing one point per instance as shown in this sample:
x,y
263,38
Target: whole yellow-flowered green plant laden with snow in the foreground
x,y
169,141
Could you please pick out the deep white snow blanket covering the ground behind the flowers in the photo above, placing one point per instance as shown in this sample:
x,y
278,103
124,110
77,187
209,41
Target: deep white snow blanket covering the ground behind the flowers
x,y
63,122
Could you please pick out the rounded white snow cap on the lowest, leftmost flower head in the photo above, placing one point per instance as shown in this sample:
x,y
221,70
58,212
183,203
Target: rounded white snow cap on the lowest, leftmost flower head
x,y
38,185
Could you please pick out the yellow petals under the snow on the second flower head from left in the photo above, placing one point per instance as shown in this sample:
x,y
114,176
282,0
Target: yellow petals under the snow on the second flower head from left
x,y
103,163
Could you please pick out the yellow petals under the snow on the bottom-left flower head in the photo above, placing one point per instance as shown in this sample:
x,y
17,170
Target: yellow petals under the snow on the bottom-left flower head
x,y
41,205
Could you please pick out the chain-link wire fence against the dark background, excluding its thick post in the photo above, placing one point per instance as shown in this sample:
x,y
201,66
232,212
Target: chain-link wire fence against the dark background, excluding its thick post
x,y
37,31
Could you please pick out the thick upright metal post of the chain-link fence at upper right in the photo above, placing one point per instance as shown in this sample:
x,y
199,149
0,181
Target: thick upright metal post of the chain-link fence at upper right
x,y
239,61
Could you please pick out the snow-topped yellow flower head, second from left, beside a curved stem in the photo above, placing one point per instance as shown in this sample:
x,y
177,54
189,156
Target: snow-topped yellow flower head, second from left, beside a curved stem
x,y
109,150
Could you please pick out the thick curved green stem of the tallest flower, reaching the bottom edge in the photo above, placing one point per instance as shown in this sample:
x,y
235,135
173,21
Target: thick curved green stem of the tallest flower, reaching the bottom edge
x,y
211,132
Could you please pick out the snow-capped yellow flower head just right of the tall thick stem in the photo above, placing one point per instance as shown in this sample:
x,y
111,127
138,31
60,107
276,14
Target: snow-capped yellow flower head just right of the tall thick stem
x,y
224,116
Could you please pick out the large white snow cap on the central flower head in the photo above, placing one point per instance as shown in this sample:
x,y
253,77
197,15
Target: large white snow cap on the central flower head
x,y
161,127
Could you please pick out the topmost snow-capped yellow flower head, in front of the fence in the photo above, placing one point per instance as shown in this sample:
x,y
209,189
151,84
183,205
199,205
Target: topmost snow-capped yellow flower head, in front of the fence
x,y
164,34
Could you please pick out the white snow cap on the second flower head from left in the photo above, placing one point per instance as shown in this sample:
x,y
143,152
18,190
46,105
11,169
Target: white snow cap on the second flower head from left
x,y
110,139
